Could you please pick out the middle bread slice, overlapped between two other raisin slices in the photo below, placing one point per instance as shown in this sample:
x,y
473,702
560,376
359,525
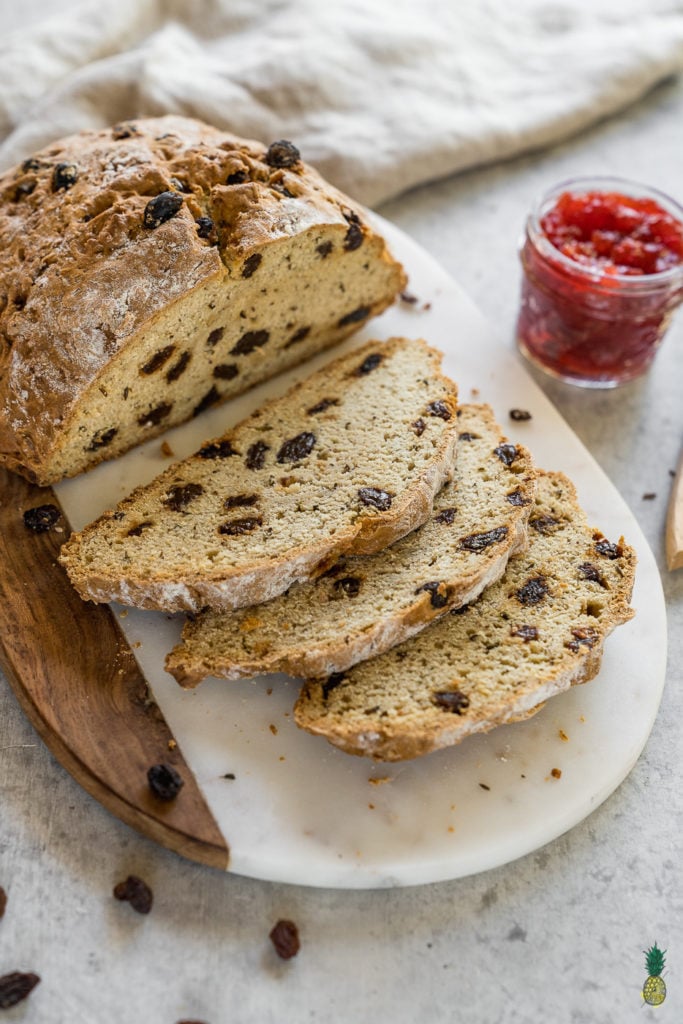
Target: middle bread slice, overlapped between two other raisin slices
x,y
367,604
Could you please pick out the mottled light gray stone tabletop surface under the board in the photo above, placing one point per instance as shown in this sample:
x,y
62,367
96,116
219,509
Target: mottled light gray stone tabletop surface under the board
x,y
554,937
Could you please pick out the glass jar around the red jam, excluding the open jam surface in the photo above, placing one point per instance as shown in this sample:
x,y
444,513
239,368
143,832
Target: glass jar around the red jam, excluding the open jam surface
x,y
584,324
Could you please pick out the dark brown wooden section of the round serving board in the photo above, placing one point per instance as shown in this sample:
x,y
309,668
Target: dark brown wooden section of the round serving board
x,y
78,682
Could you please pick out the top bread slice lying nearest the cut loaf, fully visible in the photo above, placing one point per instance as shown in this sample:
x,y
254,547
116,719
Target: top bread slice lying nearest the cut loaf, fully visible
x,y
349,460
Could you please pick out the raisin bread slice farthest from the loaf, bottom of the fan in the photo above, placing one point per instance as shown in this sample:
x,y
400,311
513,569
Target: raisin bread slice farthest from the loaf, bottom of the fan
x,y
537,632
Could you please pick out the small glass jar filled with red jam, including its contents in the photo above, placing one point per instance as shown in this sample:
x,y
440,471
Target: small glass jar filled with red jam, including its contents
x,y
604,272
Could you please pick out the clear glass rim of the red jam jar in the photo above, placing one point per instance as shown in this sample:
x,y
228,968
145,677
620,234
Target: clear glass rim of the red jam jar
x,y
600,183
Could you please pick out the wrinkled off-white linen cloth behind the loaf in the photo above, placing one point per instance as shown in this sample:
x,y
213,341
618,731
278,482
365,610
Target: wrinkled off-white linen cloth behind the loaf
x,y
379,96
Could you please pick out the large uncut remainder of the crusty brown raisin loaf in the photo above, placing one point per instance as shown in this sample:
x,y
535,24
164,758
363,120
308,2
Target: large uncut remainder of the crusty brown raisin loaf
x,y
153,270
